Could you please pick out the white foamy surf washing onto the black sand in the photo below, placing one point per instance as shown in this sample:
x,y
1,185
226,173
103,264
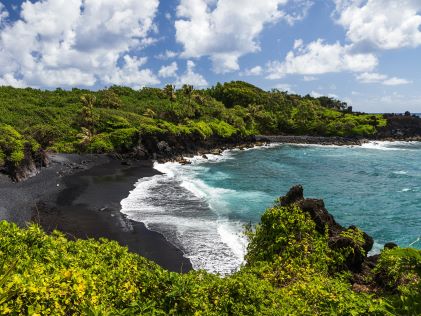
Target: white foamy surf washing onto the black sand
x,y
190,214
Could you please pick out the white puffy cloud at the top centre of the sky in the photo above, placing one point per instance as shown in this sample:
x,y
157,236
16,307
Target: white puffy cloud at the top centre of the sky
x,y
225,30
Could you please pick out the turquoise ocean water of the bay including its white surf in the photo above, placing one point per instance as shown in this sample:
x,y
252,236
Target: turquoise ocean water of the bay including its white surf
x,y
202,207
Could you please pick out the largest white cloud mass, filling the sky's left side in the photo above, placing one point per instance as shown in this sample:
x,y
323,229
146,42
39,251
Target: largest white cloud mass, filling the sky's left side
x,y
78,42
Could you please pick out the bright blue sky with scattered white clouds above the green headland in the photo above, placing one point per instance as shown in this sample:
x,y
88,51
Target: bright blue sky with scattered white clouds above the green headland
x,y
366,52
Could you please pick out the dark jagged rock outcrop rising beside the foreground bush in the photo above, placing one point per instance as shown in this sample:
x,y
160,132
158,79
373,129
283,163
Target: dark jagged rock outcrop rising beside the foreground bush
x,y
322,218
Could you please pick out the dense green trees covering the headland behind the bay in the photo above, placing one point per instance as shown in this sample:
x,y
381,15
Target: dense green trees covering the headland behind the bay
x,y
114,119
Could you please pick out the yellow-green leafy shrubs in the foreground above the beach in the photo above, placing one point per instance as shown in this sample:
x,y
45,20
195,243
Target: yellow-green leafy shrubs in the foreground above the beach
x,y
290,270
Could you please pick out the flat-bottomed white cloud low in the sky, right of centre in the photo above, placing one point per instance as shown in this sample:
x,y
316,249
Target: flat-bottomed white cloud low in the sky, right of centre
x,y
320,58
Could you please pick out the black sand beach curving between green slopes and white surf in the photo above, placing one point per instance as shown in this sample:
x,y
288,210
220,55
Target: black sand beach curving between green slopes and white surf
x,y
80,195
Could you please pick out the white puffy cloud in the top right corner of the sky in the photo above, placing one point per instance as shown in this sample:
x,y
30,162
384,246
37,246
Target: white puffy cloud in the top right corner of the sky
x,y
383,24
